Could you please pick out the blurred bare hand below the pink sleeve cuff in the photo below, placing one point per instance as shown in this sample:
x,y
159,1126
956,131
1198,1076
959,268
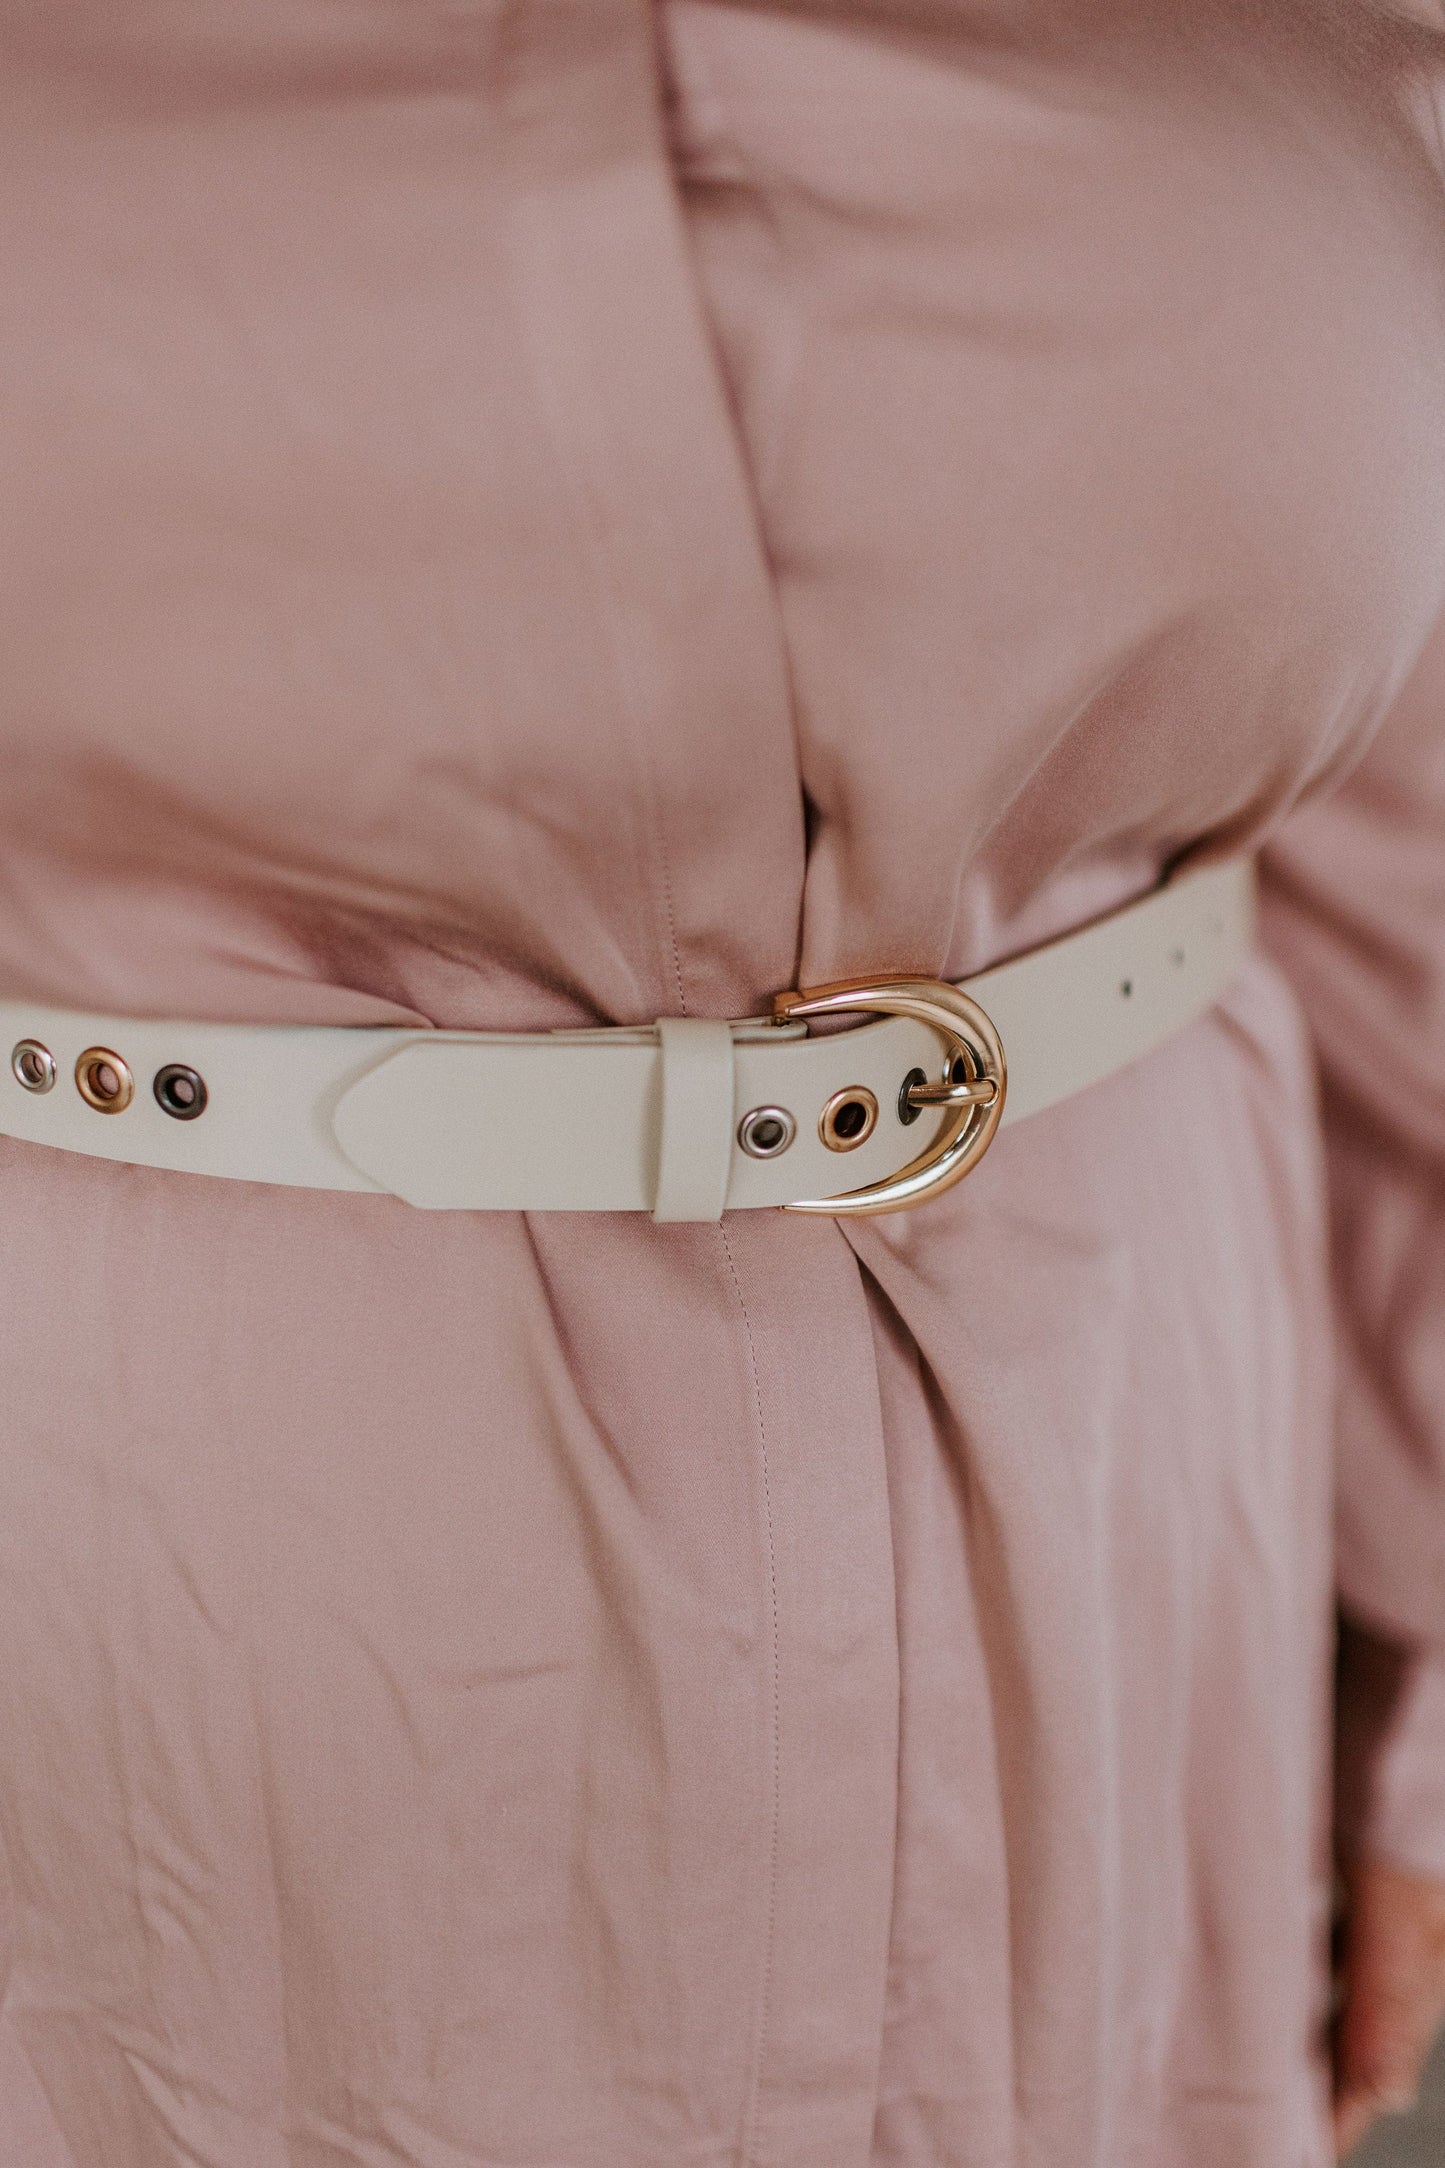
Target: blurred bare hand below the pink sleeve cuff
x,y
1394,1996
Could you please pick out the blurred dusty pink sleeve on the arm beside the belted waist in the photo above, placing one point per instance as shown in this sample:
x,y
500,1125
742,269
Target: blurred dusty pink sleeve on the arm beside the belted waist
x,y
1355,912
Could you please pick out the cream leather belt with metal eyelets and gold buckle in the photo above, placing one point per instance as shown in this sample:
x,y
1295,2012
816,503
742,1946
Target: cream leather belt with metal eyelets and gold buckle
x,y
684,1120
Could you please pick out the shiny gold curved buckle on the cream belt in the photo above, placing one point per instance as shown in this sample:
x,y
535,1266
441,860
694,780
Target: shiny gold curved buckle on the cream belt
x,y
976,1096
